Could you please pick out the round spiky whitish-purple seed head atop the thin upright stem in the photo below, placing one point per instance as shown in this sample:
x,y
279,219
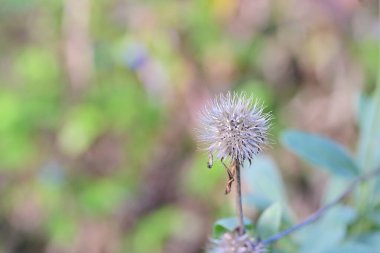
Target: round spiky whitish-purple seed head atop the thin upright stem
x,y
234,126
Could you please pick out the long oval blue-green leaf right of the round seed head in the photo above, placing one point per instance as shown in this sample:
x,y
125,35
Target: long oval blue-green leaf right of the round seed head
x,y
321,152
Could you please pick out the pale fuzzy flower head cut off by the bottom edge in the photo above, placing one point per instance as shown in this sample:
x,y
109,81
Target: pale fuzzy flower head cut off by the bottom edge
x,y
232,242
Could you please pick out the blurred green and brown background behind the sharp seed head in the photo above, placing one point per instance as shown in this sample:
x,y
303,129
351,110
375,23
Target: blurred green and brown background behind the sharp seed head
x,y
99,99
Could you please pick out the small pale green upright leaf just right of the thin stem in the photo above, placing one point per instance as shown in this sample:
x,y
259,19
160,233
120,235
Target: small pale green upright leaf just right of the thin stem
x,y
270,221
